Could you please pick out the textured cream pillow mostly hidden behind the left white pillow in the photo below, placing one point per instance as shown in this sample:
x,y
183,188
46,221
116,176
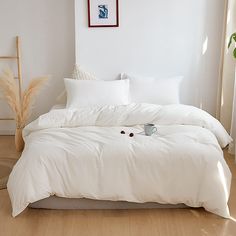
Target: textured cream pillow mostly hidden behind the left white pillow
x,y
78,73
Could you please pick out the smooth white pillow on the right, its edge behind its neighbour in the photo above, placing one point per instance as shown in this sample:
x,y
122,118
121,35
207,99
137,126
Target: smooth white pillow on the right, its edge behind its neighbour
x,y
153,90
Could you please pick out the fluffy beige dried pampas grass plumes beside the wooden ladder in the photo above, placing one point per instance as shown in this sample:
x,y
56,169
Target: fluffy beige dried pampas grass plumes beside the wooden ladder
x,y
21,104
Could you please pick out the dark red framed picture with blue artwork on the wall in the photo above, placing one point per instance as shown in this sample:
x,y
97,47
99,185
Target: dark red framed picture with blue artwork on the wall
x,y
103,13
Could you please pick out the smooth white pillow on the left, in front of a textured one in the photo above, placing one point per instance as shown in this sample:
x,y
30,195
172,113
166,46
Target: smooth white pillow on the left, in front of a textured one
x,y
81,93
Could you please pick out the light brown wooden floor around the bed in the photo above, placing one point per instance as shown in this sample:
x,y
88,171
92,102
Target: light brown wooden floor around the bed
x,y
163,222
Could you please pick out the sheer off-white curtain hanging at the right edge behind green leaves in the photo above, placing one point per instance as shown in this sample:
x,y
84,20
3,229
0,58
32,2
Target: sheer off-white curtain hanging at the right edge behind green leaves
x,y
228,90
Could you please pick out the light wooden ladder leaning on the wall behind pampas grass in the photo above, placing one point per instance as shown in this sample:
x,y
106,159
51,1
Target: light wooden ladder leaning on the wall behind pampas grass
x,y
19,76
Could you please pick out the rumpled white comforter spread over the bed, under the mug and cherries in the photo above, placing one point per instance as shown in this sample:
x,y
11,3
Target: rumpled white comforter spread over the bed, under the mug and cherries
x,y
81,153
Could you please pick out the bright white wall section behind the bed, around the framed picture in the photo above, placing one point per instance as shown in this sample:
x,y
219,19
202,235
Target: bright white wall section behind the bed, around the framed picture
x,y
161,38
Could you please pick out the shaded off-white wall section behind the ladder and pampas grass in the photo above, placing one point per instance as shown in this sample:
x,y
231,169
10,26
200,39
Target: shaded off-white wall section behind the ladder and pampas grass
x,y
46,28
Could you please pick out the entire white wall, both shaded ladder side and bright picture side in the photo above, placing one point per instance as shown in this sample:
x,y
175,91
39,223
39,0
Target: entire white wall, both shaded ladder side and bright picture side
x,y
155,37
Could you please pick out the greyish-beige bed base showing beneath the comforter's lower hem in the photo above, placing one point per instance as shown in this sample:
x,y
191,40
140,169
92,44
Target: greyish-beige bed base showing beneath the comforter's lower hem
x,y
54,202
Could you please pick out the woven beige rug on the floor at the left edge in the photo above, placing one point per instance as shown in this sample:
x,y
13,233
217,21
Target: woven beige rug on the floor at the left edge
x,y
6,165
